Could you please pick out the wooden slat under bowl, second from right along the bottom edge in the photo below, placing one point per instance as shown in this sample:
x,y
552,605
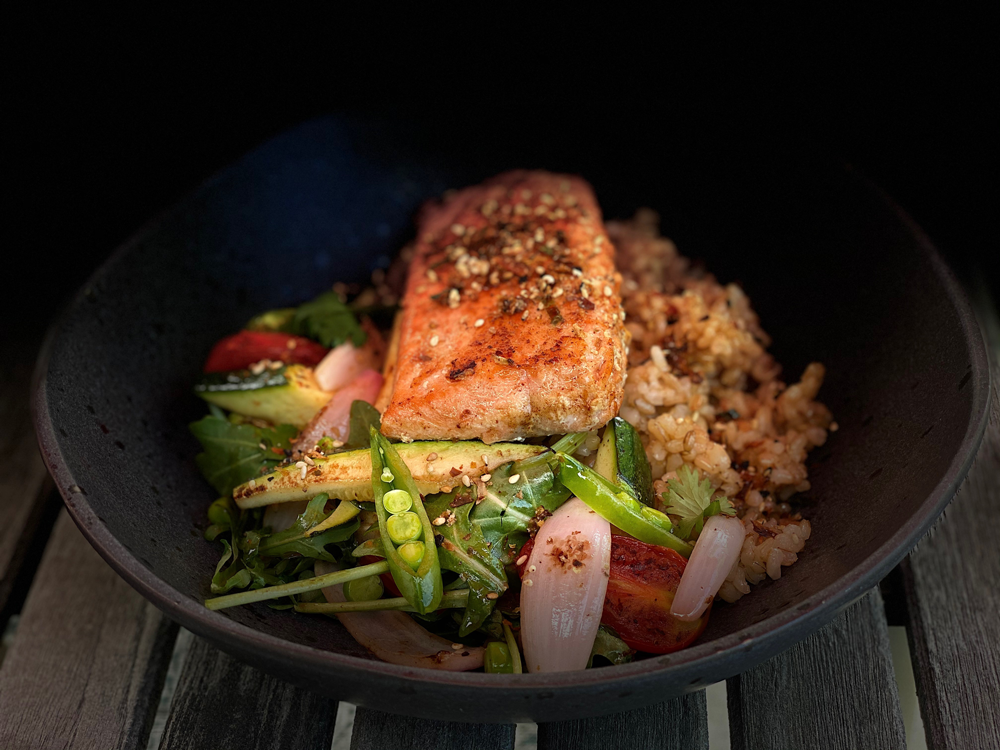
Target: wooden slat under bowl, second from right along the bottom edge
x,y
834,690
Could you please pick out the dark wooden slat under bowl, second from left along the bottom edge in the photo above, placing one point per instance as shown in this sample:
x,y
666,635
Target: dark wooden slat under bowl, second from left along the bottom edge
x,y
222,703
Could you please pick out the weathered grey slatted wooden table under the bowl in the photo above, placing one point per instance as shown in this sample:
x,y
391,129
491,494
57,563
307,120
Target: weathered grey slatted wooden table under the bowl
x,y
85,666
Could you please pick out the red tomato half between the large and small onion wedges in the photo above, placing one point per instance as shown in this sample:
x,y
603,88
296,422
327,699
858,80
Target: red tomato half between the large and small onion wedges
x,y
641,588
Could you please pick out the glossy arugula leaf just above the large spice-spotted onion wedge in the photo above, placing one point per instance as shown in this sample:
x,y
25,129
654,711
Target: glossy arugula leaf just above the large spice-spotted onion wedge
x,y
505,518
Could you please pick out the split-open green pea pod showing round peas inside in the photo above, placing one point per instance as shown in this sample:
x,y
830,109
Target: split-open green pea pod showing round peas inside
x,y
412,558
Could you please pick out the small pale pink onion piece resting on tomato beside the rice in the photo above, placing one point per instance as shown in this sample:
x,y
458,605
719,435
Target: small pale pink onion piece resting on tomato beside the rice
x,y
715,553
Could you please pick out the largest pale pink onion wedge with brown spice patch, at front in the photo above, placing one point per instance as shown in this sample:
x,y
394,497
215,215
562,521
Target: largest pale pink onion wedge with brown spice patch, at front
x,y
562,593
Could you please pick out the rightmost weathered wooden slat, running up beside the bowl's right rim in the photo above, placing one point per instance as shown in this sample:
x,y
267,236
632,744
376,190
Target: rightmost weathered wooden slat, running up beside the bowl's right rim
x,y
952,580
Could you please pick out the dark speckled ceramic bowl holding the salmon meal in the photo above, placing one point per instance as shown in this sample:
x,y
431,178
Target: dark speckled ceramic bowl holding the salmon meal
x,y
836,272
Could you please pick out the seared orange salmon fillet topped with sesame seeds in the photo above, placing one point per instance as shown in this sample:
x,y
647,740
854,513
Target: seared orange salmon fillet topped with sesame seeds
x,y
512,321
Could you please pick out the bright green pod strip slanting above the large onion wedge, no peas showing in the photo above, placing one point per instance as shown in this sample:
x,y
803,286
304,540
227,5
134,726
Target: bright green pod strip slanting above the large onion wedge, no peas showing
x,y
617,506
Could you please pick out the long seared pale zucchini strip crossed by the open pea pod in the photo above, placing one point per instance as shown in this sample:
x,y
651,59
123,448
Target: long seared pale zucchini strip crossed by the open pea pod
x,y
348,476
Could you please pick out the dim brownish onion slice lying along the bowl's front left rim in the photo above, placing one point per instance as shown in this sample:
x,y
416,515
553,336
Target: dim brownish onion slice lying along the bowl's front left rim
x,y
395,637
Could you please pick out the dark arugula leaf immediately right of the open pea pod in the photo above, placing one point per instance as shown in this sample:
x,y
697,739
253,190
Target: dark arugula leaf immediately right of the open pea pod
x,y
463,549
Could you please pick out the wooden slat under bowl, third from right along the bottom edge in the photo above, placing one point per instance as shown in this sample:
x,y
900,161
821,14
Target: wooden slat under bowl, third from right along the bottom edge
x,y
679,722
